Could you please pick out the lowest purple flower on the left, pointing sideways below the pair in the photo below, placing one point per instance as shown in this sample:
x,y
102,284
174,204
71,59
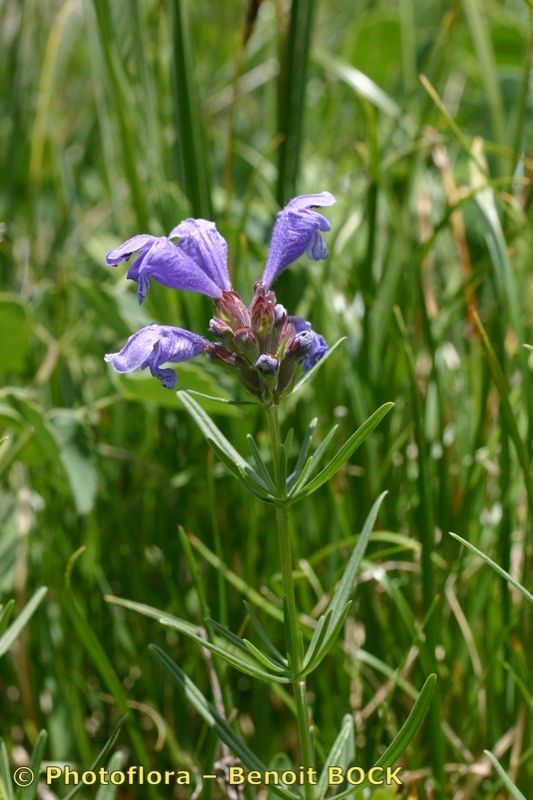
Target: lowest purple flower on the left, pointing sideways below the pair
x,y
155,345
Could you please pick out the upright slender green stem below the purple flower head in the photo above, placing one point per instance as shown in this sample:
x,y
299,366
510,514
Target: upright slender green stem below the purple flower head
x,y
293,638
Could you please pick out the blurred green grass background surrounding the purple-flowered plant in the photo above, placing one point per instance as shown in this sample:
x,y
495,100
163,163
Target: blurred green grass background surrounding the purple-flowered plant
x,y
125,117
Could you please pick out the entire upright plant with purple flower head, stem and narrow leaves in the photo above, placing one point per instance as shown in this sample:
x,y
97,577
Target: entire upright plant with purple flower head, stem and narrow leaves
x,y
265,348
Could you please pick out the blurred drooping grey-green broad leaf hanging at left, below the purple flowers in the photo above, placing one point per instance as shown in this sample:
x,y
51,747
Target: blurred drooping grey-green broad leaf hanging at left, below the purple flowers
x,y
76,457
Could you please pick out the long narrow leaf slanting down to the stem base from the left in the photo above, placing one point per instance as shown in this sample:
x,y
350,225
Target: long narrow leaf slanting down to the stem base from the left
x,y
214,720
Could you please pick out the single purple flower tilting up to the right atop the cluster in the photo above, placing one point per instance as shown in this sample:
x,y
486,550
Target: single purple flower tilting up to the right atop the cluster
x,y
296,231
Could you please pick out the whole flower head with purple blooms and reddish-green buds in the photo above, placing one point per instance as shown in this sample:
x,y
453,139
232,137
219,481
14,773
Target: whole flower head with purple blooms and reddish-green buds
x,y
259,343
